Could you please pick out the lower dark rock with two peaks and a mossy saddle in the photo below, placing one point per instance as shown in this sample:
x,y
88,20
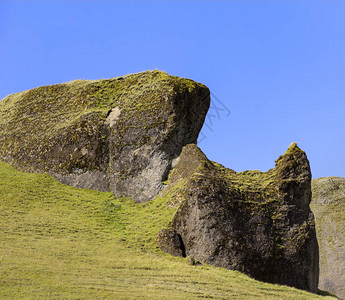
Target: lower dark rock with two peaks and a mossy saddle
x,y
258,223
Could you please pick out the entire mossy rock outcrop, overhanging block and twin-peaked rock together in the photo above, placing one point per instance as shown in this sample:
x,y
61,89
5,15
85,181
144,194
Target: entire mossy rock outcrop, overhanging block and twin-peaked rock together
x,y
126,134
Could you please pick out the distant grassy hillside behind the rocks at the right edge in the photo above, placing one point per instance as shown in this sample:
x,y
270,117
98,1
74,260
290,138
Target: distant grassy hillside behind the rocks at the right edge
x,y
328,205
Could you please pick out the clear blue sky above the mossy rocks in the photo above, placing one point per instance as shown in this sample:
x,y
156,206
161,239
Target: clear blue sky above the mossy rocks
x,y
278,66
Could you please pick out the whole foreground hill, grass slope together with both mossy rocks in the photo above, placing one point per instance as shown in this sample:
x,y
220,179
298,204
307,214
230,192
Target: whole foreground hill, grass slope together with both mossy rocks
x,y
105,195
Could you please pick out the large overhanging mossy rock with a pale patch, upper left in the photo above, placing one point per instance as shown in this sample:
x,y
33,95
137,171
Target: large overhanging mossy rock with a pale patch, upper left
x,y
120,134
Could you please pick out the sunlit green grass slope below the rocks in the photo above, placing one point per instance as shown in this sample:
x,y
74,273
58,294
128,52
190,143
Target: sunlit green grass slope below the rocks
x,y
60,242
